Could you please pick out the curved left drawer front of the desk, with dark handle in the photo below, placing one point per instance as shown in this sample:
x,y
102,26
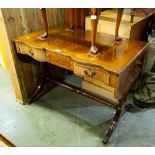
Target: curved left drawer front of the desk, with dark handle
x,y
34,53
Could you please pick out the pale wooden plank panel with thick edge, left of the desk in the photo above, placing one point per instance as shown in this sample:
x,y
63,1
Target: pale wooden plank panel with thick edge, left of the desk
x,y
16,22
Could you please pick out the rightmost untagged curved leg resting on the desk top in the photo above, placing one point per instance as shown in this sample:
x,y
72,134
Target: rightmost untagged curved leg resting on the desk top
x,y
118,21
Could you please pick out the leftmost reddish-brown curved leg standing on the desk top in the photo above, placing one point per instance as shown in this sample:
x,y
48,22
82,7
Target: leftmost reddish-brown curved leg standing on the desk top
x,y
45,23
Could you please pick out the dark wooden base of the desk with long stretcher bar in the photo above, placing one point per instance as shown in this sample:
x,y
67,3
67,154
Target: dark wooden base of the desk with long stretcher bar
x,y
119,109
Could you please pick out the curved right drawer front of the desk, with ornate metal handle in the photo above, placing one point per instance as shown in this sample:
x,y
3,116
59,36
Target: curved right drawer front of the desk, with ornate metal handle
x,y
91,72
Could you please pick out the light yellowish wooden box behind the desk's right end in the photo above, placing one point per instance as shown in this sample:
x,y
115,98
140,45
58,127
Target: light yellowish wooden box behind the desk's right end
x,y
138,30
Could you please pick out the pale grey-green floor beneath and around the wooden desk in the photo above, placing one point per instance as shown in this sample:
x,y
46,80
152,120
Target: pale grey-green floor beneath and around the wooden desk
x,y
63,118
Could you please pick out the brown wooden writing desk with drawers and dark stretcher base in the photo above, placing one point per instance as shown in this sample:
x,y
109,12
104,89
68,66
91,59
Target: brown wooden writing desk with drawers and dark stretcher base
x,y
106,78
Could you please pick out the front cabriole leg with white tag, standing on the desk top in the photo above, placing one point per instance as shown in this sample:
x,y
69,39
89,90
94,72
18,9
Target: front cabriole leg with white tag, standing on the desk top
x,y
94,22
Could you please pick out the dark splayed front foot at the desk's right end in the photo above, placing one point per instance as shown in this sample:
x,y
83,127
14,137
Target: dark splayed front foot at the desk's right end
x,y
112,126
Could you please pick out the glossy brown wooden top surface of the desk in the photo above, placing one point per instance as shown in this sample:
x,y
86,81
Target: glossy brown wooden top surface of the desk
x,y
114,56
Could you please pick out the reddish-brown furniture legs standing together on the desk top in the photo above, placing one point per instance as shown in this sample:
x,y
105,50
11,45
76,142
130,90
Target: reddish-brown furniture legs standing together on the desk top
x,y
94,20
